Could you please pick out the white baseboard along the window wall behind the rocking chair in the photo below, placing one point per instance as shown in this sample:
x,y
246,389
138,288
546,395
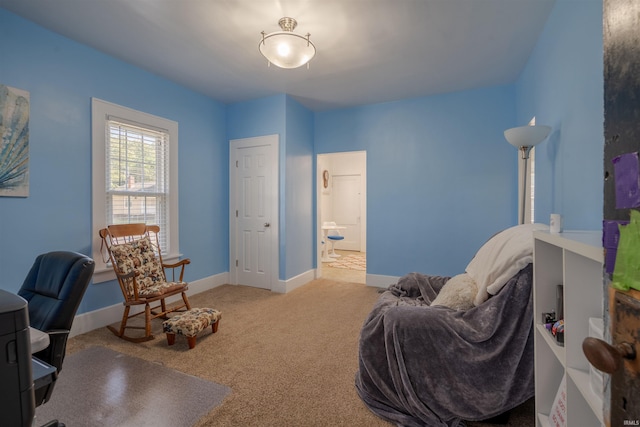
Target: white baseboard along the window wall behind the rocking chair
x,y
102,317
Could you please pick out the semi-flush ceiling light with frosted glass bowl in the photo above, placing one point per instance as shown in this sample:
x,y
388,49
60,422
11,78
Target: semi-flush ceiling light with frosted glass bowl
x,y
285,48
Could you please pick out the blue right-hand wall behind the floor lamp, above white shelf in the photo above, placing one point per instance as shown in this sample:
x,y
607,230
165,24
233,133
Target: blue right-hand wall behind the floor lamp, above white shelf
x,y
562,85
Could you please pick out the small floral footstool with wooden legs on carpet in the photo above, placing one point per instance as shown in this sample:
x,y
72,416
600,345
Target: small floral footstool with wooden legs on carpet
x,y
189,323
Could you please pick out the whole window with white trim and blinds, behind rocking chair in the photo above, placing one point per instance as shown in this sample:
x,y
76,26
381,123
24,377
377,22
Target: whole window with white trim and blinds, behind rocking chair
x,y
134,175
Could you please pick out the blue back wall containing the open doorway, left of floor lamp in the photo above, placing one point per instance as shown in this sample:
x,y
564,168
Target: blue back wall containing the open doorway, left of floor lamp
x,y
440,176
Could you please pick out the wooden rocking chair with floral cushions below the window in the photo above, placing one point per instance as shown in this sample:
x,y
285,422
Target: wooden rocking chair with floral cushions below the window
x,y
134,253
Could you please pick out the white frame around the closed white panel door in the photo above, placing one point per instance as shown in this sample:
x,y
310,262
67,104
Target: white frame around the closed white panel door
x,y
272,141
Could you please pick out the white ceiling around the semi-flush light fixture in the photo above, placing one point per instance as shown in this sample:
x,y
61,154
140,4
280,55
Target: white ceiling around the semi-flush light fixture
x,y
368,51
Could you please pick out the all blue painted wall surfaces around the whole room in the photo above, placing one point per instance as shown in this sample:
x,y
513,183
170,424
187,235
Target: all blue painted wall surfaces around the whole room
x,y
441,177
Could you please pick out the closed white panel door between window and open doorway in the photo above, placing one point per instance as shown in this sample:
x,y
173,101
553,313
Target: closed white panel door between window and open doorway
x,y
253,197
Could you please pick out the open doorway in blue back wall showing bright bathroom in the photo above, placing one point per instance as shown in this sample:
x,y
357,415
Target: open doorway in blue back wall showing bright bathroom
x,y
342,203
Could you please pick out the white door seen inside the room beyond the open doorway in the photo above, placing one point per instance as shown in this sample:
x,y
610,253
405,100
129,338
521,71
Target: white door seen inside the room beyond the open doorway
x,y
346,210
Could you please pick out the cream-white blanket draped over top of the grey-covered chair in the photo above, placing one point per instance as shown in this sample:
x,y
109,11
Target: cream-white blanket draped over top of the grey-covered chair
x,y
501,258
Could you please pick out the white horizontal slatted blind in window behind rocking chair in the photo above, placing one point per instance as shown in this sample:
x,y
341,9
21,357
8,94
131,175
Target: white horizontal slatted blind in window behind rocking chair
x,y
137,175
